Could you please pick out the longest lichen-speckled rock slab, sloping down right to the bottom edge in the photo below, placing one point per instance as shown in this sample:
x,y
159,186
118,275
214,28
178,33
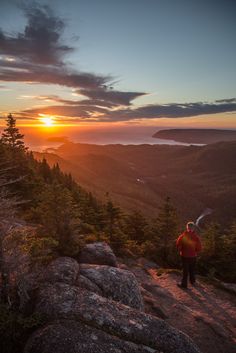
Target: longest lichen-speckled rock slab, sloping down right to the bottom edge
x,y
62,301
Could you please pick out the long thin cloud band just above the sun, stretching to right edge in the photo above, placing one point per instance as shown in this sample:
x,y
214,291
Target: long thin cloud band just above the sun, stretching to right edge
x,y
82,111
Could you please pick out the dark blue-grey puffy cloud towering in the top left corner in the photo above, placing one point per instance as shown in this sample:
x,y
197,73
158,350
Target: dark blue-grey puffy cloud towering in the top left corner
x,y
41,39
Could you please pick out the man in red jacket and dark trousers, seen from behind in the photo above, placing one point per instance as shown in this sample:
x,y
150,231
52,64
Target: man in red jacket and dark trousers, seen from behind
x,y
189,245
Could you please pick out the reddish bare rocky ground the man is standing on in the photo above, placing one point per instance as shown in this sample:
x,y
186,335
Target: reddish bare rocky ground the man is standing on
x,y
205,313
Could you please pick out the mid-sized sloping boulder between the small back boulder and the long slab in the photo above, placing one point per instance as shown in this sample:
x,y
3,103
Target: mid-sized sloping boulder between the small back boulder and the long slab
x,y
115,283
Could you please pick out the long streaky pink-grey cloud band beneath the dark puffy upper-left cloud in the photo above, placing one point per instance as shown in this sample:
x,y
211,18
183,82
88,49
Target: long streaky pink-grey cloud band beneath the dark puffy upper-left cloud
x,y
89,85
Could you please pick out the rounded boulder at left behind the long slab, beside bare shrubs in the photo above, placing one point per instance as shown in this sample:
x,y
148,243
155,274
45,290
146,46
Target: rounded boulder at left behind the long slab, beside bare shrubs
x,y
63,269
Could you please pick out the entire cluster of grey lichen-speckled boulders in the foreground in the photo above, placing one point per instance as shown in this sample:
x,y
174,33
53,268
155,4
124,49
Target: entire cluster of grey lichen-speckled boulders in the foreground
x,y
93,308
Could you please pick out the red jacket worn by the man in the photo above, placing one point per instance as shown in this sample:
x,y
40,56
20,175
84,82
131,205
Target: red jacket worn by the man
x,y
189,244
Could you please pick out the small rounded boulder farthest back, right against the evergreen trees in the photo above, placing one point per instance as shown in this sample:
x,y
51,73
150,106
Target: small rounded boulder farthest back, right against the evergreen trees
x,y
99,253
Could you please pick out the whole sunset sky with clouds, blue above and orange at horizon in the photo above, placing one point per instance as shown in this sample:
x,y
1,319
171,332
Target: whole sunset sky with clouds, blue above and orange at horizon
x,y
123,64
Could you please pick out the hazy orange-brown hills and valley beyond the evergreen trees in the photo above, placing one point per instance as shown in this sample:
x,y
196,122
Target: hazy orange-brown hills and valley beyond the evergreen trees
x,y
141,176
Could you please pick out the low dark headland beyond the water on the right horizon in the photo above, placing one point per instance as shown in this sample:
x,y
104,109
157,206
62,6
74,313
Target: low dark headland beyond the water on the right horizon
x,y
204,136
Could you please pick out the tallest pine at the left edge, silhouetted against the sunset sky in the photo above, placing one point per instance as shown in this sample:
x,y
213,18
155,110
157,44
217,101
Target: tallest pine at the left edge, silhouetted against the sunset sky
x,y
11,135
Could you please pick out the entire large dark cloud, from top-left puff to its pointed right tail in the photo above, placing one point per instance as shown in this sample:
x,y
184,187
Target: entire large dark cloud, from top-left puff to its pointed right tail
x,y
36,56
